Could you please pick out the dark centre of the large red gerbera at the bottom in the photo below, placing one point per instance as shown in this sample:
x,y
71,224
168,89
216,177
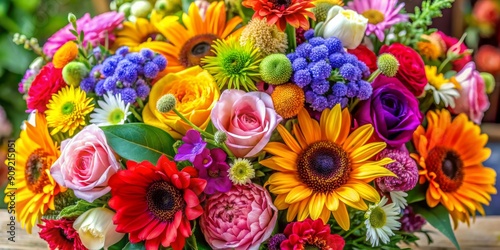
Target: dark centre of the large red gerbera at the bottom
x,y
164,200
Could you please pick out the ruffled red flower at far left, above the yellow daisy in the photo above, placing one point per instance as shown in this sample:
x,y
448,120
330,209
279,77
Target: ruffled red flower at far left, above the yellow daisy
x,y
45,84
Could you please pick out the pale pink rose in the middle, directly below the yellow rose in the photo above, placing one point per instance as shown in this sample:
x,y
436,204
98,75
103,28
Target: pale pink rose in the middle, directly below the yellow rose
x,y
248,119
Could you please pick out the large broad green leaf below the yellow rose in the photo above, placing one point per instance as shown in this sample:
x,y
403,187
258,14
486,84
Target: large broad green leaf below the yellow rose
x,y
139,142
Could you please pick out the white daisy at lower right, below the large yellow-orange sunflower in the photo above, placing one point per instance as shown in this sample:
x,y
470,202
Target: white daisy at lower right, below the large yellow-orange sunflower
x,y
381,220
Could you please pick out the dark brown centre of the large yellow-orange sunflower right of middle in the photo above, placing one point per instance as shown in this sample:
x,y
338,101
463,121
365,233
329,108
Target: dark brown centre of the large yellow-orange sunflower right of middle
x,y
323,166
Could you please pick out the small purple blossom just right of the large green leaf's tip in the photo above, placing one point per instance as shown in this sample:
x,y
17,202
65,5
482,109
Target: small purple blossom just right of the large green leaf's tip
x,y
193,146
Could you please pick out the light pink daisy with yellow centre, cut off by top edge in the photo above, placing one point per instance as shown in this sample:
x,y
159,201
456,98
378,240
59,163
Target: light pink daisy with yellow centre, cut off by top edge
x,y
381,15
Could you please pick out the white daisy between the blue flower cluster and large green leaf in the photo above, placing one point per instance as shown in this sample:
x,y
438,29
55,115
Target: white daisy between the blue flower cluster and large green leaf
x,y
111,111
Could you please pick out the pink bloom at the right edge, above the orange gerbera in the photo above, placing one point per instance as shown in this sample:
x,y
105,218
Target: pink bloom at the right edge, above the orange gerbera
x,y
473,99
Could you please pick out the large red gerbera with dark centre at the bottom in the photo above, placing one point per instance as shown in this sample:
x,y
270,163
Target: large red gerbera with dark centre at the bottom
x,y
156,203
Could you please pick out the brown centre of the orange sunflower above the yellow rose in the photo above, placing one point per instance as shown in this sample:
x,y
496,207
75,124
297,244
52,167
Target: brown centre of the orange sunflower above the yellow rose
x,y
196,48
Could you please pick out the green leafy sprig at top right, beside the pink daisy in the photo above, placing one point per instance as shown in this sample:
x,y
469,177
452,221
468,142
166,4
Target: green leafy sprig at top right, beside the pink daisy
x,y
409,33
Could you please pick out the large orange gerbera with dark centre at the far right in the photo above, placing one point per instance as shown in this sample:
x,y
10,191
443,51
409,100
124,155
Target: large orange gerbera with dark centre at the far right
x,y
451,155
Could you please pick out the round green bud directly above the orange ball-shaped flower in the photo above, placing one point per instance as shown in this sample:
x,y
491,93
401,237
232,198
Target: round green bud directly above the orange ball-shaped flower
x,y
276,69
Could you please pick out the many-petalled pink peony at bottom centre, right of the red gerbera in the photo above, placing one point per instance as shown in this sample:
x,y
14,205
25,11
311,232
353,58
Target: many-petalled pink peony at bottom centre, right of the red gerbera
x,y
242,218
